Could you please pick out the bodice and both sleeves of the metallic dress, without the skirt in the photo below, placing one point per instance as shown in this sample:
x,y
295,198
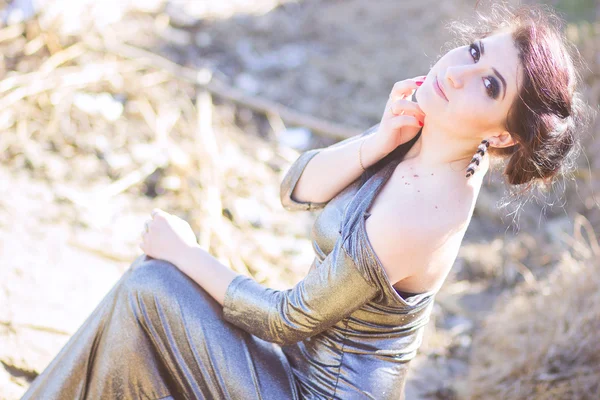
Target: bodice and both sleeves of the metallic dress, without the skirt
x,y
345,330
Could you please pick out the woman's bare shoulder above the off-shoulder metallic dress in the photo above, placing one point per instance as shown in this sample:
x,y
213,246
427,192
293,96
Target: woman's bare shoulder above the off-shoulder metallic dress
x,y
420,231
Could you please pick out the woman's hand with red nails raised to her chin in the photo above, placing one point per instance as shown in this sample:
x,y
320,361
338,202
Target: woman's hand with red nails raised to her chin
x,y
402,118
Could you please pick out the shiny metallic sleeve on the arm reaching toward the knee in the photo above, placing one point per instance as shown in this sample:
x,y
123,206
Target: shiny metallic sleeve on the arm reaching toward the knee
x,y
330,292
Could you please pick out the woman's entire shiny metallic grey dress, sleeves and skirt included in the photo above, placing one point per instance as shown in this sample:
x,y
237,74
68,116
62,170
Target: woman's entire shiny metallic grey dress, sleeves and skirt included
x,y
342,332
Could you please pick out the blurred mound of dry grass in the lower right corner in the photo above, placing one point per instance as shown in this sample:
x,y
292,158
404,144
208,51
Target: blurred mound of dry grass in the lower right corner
x,y
542,341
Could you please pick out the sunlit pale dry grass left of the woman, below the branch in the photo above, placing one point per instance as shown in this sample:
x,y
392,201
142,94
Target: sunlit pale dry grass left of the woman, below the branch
x,y
95,118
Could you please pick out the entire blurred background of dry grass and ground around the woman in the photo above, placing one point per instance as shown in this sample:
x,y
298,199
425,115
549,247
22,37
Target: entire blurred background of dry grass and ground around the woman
x,y
109,109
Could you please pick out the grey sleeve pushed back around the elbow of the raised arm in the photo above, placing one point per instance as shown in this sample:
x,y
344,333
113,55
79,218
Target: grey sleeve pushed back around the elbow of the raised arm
x,y
295,171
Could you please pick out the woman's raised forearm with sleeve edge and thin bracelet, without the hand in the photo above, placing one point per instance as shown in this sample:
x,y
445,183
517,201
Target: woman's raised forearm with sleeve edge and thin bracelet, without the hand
x,y
320,174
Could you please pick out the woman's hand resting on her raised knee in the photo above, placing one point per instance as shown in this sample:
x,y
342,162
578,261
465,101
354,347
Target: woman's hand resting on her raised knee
x,y
167,236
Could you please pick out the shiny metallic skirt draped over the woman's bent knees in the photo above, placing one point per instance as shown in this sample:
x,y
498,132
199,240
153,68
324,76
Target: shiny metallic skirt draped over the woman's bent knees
x,y
159,335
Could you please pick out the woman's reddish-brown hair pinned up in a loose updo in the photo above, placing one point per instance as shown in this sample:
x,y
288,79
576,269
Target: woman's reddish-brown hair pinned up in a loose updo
x,y
548,114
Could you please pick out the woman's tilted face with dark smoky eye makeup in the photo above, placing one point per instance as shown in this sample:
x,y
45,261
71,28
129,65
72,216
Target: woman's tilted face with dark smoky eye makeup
x,y
480,82
